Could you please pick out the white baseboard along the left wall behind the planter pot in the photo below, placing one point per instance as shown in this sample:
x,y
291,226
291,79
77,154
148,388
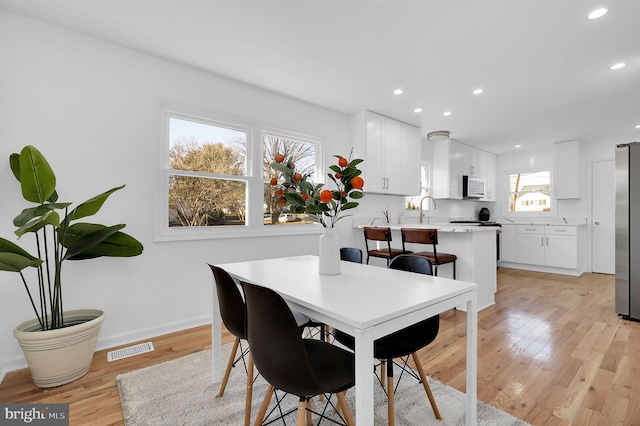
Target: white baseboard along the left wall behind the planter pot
x,y
119,340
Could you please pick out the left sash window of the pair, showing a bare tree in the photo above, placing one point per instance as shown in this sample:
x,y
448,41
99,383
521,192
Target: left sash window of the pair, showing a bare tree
x,y
207,174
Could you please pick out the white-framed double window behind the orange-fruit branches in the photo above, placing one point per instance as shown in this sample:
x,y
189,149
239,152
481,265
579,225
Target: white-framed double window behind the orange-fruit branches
x,y
217,177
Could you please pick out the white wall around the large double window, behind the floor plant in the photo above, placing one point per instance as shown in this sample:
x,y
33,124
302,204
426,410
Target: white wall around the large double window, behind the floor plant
x,y
93,109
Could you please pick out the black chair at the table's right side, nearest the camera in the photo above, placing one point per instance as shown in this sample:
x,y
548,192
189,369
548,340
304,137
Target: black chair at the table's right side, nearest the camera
x,y
405,342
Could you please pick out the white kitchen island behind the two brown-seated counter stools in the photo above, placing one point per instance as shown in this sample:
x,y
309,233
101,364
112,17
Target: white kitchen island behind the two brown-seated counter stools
x,y
475,247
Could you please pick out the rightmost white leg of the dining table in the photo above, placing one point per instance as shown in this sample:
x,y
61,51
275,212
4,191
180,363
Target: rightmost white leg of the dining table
x,y
472,361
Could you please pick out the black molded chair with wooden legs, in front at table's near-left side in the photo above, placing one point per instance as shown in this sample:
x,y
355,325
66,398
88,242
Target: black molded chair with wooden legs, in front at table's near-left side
x,y
288,362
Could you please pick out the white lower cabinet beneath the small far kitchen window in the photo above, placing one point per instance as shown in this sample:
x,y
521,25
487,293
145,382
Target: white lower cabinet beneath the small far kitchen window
x,y
549,245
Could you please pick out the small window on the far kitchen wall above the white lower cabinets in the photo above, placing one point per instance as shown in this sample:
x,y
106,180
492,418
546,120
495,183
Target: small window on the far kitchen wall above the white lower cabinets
x,y
530,192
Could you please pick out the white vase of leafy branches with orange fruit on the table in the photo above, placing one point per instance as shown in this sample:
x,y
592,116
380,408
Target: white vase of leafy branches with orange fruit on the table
x,y
322,205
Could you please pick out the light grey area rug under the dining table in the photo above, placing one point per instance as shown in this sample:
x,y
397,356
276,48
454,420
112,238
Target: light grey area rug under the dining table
x,y
180,392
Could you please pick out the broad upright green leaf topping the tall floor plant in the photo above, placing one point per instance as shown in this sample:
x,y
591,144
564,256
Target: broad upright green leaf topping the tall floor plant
x,y
37,179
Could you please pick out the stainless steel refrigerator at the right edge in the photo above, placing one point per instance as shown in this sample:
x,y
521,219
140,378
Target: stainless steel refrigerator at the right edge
x,y
628,230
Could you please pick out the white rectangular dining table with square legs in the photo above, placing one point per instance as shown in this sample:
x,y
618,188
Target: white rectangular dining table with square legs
x,y
365,301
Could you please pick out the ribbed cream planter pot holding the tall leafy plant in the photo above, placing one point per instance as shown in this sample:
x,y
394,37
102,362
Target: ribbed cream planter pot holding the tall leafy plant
x,y
56,357
